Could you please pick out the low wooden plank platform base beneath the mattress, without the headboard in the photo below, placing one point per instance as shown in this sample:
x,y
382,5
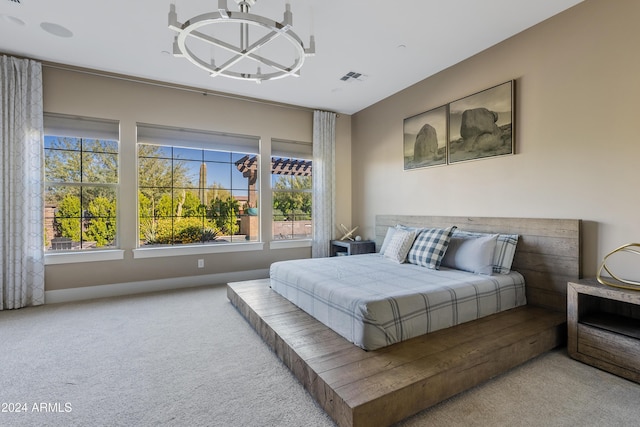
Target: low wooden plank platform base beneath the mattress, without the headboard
x,y
360,388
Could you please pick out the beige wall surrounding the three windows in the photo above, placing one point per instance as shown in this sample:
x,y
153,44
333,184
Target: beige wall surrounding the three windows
x,y
82,94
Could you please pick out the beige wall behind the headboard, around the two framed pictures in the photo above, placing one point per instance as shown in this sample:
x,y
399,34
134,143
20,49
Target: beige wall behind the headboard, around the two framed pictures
x,y
577,147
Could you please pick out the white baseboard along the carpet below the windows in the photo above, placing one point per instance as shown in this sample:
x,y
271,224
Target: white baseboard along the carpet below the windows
x,y
119,289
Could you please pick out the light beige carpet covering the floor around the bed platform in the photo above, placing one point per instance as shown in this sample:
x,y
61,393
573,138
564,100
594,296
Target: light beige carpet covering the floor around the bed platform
x,y
187,358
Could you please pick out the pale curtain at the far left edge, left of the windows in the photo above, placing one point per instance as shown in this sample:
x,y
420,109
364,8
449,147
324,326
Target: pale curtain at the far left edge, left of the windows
x,y
22,225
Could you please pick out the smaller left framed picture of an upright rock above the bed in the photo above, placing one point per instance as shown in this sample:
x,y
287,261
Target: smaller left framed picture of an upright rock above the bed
x,y
425,139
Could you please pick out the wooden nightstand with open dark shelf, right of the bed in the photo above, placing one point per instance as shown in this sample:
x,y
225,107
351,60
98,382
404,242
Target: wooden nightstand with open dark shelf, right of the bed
x,y
604,327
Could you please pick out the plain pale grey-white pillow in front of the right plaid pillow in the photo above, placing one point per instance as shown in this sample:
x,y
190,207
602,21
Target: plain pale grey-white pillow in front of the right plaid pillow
x,y
473,254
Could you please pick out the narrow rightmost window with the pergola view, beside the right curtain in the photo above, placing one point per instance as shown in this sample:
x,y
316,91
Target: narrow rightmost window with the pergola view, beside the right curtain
x,y
291,185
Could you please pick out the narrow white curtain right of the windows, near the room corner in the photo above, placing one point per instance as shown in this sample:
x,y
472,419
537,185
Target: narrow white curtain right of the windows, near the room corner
x,y
323,203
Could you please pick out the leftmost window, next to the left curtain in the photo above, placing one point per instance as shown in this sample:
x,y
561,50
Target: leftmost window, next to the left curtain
x,y
81,183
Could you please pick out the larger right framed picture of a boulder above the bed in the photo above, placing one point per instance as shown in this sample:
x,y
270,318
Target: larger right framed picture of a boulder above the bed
x,y
481,125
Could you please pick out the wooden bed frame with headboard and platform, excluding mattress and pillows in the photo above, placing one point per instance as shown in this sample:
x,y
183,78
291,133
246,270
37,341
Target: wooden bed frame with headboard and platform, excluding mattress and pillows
x,y
385,385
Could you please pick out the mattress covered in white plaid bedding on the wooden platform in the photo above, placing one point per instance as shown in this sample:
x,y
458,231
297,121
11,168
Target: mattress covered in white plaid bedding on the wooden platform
x,y
374,302
